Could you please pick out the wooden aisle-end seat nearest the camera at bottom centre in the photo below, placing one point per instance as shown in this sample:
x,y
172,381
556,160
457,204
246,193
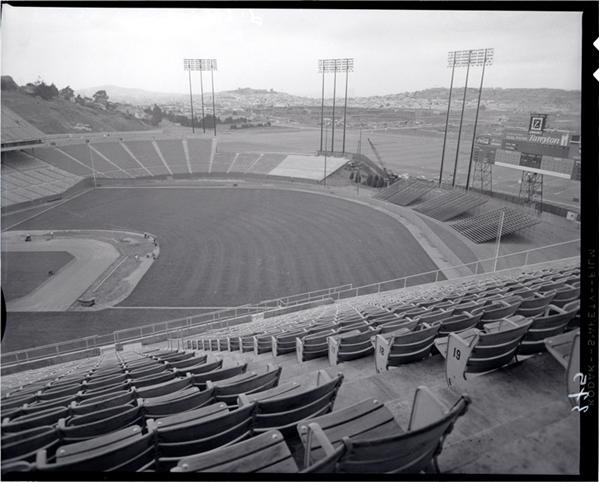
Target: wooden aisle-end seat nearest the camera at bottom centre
x,y
365,438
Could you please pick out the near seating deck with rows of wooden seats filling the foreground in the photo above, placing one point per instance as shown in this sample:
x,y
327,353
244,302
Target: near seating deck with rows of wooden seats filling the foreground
x,y
165,409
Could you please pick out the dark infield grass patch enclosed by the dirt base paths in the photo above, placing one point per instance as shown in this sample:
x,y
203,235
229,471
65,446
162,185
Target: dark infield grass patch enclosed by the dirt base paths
x,y
22,272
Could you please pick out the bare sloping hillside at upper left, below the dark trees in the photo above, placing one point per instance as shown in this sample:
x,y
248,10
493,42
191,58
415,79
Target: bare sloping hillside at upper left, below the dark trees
x,y
57,116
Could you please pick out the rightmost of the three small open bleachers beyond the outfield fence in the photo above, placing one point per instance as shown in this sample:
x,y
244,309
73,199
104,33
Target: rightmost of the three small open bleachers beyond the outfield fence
x,y
484,227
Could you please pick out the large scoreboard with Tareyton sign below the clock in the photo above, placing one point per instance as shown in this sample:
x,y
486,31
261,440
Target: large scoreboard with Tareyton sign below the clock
x,y
554,153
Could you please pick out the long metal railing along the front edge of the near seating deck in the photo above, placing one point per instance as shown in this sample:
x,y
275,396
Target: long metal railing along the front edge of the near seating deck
x,y
232,316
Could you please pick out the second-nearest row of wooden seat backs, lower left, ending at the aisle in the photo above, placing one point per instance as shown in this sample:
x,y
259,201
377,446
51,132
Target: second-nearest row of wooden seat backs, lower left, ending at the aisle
x,y
183,432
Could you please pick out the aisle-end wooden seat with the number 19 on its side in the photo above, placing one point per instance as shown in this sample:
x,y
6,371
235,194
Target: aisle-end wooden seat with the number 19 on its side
x,y
474,351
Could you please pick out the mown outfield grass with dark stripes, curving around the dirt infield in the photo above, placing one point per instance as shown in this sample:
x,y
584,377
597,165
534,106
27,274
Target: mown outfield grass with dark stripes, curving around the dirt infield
x,y
227,247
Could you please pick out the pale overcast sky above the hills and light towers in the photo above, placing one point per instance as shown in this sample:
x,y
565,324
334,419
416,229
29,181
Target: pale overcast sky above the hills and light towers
x,y
395,51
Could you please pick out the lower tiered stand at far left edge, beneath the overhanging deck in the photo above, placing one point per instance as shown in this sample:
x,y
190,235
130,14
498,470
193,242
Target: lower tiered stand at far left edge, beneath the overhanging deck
x,y
25,178
